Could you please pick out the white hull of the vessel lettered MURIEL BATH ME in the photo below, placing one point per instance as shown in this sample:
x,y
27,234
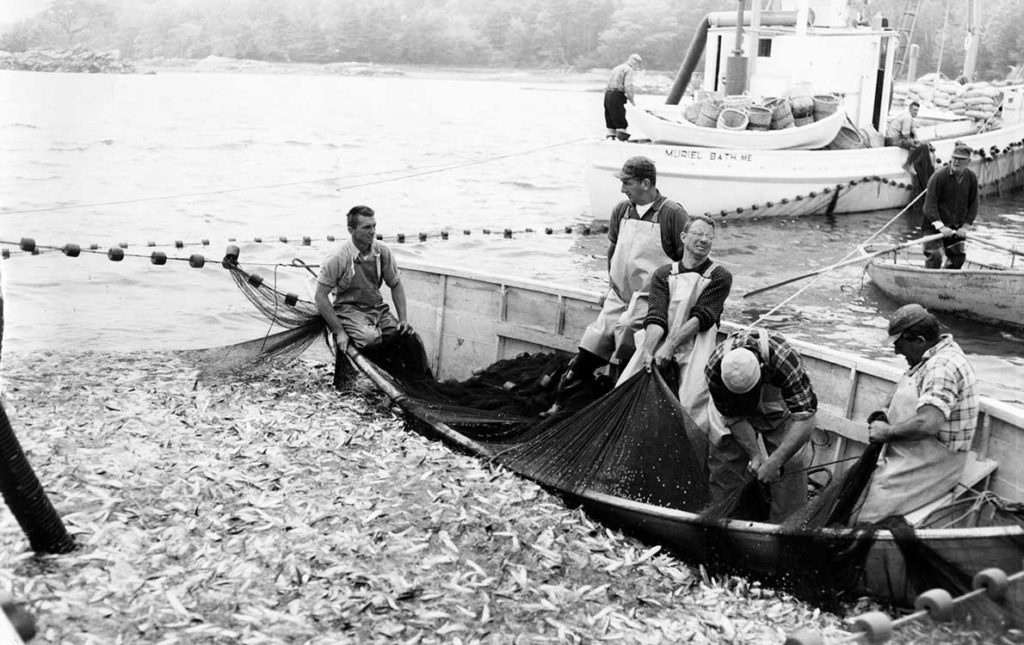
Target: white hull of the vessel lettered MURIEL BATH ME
x,y
750,184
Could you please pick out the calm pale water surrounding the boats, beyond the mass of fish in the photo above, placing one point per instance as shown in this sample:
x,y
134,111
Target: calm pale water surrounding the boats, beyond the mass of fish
x,y
111,159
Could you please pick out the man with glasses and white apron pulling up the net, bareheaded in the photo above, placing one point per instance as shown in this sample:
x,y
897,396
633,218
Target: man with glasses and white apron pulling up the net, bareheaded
x,y
686,305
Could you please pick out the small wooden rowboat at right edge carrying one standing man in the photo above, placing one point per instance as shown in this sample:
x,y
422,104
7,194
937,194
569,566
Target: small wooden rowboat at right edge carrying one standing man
x,y
977,291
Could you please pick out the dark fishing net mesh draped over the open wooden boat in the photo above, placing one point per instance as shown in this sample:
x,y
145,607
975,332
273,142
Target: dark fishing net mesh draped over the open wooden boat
x,y
633,442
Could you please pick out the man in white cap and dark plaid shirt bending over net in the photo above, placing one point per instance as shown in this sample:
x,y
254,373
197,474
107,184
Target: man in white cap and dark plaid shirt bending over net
x,y
762,415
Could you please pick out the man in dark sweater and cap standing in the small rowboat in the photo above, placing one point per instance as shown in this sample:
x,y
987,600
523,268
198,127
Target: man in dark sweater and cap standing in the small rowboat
x,y
951,206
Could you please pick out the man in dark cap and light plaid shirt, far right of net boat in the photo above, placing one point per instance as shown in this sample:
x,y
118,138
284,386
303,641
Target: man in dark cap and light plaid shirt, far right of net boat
x,y
929,423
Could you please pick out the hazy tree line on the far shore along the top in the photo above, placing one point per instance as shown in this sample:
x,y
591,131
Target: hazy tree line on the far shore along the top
x,y
560,34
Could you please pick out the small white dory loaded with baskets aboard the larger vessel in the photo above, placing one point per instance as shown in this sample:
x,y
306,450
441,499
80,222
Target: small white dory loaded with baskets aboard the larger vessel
x,y
665,124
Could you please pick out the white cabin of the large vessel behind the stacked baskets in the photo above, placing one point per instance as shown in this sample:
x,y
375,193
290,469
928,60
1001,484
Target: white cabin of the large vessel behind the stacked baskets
x,y
808,47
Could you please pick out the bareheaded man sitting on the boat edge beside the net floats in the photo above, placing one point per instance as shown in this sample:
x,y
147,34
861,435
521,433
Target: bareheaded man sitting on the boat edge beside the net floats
x,y
355,273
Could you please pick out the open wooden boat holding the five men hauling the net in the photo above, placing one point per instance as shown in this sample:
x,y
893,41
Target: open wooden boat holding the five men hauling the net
x,y
470,321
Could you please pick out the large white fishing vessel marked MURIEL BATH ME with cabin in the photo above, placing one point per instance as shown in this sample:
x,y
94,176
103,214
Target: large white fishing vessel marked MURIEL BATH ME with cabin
x,y
816,48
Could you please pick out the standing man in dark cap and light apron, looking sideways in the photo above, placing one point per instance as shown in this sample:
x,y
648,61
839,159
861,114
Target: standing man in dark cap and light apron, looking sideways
x,y
645,234
